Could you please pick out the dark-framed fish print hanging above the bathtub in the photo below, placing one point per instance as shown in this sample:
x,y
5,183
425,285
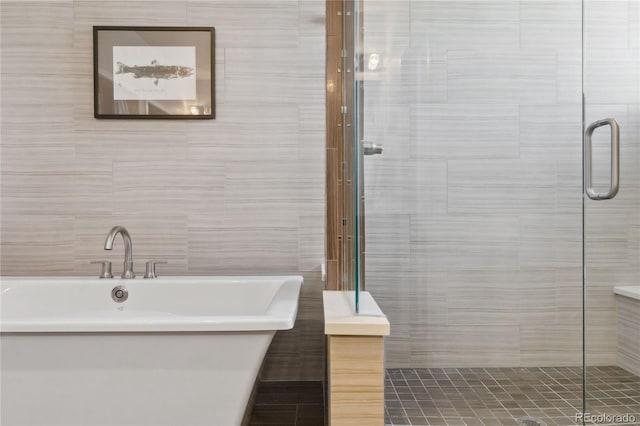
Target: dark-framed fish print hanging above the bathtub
x,y
154,72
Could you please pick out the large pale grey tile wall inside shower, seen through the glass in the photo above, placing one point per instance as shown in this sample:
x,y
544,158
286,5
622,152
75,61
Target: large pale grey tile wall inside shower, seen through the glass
x,y
473,235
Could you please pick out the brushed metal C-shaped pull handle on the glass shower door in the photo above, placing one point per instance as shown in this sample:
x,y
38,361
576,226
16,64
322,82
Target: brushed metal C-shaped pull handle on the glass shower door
x,y
615,160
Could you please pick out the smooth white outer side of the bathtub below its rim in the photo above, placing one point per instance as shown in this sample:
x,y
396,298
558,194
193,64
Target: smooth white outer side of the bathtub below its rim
x,y
134,378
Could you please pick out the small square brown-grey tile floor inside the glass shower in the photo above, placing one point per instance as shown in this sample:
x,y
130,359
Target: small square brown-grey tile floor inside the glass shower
x,y
503,396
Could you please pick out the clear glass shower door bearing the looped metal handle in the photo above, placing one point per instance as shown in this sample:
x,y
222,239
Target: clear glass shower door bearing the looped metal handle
x,y
611,166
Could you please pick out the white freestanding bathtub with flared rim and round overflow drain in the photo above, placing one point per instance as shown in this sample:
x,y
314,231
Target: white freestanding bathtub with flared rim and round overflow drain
x,y
179,351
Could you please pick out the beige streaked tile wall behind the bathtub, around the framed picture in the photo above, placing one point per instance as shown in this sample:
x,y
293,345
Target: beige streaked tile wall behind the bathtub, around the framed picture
x,y
241,194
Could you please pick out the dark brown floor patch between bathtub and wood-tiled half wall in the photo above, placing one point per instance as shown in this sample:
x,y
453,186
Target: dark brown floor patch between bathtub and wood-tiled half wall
x,y
288,404
